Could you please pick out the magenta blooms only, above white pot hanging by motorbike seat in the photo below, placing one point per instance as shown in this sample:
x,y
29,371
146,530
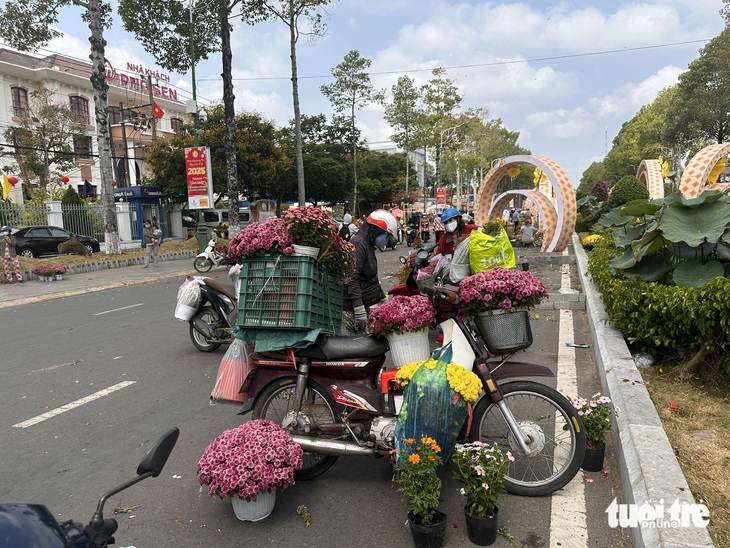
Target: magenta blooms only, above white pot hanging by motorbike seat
x,y
401,314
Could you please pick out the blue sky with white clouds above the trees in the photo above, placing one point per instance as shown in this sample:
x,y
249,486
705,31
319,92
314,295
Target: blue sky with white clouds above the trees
x,y
565,75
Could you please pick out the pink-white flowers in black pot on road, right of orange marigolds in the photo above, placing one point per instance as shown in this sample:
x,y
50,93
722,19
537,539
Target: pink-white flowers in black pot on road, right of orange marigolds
x,y
481,467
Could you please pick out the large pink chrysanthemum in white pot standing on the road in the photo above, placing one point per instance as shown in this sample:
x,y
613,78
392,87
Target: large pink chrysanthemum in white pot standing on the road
x,y
248,464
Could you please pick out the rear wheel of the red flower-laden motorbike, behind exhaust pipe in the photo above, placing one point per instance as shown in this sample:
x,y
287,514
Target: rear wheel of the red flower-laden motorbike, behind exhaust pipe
x,y
274,403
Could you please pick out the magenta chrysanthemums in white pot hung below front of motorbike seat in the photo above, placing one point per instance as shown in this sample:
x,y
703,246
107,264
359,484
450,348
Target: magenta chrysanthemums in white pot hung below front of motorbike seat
x,y
404,321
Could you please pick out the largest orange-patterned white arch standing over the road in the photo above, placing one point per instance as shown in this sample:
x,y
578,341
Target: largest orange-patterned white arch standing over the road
x,y
559,222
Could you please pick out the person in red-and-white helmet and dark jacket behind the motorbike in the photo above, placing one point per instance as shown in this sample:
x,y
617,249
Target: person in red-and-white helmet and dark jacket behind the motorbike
x,y
363,291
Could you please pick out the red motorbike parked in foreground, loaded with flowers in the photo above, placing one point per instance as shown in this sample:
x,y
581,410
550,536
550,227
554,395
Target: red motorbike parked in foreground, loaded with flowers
x,y
337,399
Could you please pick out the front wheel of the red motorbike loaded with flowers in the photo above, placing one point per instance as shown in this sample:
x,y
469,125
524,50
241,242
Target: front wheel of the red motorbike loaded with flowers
x,y
549,422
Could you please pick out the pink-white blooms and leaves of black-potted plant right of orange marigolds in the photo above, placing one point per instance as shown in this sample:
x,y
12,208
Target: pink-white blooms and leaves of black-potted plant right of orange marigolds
x,y
481,468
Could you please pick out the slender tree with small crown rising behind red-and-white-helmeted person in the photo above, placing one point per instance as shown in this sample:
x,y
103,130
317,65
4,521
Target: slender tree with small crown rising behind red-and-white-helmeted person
x,y
350,92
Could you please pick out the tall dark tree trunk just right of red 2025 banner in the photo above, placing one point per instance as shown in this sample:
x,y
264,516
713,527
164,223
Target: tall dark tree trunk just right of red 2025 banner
x,y
230,117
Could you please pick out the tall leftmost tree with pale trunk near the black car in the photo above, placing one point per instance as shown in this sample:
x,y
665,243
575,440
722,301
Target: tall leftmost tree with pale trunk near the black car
x,y
29,25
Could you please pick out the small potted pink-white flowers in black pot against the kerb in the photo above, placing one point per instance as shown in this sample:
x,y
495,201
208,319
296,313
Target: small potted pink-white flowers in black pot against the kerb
x,y
596,414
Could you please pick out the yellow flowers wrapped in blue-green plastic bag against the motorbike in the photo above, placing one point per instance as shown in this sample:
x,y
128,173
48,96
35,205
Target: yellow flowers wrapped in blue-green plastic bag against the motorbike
x,y
436,400
